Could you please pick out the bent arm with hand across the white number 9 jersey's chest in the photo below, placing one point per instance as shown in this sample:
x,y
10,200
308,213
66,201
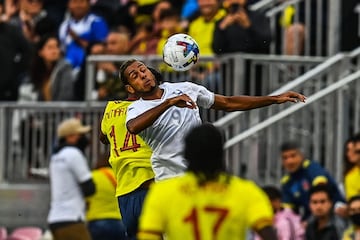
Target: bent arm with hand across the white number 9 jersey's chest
x,y
147,118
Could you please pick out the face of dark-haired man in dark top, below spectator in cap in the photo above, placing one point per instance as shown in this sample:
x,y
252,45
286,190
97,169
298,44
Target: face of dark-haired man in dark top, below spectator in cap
x,y
320,204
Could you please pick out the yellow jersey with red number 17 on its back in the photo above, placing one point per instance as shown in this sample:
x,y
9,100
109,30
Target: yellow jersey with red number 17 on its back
x,y
223,209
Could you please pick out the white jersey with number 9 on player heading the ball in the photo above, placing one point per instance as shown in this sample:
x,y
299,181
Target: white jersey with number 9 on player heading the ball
x,y
167,133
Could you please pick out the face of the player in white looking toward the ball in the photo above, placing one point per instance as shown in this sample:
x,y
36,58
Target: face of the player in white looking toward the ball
x,y
140,78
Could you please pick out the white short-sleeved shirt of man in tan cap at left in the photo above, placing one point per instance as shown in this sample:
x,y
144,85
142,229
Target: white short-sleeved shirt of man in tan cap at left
x,y
68,168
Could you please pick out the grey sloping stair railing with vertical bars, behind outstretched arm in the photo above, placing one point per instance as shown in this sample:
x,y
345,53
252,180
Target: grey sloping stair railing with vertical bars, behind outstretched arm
x,y
321,127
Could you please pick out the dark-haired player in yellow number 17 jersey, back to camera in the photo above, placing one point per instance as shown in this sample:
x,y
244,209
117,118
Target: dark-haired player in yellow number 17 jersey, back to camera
x,y
205,202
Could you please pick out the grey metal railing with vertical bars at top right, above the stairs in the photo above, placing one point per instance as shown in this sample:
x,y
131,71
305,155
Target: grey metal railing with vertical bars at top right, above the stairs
x,y
320,19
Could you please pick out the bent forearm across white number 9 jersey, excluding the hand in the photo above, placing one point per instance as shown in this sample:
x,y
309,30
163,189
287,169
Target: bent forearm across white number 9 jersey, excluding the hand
x,y
146,119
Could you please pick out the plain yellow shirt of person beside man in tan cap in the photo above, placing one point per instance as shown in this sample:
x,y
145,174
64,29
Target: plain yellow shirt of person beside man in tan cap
x,y
103,204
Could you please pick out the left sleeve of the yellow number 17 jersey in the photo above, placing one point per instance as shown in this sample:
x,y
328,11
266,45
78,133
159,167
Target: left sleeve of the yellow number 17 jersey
x,y
152,219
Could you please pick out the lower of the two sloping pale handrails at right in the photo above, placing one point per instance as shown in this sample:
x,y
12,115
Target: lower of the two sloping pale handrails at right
x,y
275,118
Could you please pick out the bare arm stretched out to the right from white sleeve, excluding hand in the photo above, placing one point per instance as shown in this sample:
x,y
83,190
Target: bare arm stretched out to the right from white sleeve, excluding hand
x,y
241,103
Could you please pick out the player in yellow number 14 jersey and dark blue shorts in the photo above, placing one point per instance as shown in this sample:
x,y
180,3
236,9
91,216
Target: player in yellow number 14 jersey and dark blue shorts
x,y
130,160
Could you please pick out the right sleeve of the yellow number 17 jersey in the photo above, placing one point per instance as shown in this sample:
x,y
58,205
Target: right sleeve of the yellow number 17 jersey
x,y
260,213
